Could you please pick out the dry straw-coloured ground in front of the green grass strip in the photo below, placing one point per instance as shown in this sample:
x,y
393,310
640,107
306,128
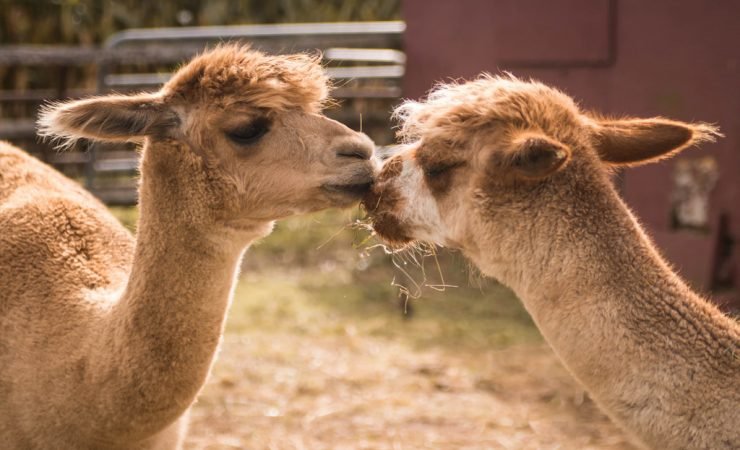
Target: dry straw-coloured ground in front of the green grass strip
x,y
354,392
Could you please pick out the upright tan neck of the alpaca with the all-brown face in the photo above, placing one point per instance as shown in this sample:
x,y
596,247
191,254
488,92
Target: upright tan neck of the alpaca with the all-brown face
x,y
163,333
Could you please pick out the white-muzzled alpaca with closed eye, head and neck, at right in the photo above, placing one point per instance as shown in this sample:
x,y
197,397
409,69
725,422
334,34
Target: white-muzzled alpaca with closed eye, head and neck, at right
x,y
514,175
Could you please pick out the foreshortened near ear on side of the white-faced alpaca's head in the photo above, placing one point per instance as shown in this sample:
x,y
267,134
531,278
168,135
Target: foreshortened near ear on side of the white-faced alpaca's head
x,y
536,157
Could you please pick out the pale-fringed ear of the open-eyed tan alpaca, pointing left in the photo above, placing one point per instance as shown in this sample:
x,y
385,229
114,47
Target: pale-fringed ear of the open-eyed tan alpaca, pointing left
x,y
109,118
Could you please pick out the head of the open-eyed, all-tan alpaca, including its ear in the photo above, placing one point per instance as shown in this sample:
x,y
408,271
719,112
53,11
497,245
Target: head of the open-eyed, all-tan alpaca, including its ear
x,y
236,131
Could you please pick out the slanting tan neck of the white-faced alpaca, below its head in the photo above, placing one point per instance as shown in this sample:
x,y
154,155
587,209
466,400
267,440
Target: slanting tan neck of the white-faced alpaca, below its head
x,y
655,355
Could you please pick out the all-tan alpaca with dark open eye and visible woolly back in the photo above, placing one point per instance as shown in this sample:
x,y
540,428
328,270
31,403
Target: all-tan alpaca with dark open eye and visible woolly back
x,y
106,340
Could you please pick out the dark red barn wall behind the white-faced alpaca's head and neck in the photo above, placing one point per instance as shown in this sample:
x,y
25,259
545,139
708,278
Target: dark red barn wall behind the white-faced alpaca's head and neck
x,y
674,58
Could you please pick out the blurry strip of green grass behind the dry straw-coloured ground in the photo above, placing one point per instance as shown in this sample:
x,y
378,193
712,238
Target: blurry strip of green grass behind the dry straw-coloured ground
x,y
313,303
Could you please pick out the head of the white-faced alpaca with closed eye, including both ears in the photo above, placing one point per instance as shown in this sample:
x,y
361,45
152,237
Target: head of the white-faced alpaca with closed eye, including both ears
x,y
480,158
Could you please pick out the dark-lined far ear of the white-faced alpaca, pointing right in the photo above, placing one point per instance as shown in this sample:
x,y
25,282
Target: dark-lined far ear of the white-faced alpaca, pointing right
x,y
640,141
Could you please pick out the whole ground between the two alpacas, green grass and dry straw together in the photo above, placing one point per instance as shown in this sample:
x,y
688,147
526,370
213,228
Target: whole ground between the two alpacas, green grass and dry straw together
x,y
316,360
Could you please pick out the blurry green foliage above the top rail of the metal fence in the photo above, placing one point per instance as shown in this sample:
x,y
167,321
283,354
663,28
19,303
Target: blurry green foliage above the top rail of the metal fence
x,y
89,22
